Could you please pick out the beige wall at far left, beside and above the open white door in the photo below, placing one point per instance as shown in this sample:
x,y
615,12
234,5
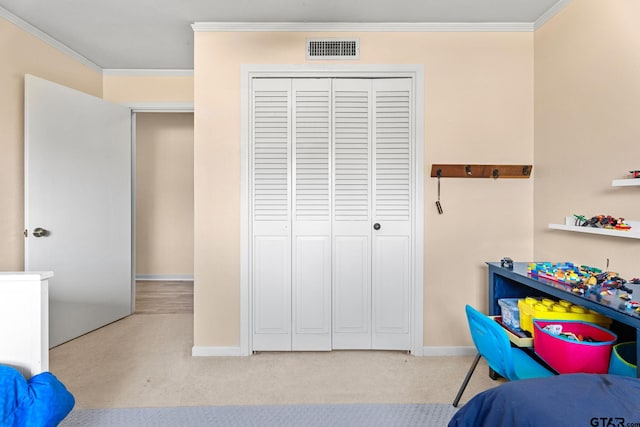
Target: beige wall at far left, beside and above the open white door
x,y
20,54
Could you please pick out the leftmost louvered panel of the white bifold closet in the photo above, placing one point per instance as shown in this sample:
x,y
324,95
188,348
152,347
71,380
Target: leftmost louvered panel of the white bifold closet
x,y
271,213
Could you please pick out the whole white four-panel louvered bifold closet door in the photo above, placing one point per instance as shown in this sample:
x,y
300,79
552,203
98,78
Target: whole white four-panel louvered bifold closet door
x,y
331,160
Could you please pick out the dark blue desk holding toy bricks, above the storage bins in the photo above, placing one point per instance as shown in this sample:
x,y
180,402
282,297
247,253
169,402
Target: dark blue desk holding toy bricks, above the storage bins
x,y
516,283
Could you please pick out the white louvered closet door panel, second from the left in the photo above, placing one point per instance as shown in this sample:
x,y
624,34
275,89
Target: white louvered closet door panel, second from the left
x,y
311,191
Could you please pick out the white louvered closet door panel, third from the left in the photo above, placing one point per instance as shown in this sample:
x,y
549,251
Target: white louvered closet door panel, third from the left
x,y
352,113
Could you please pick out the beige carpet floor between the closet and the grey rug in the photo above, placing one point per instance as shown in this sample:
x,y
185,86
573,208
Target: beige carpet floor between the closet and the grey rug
x,y
145,361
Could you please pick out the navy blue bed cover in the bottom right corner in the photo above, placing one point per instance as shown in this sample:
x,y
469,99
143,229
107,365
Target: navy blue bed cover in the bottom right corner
x,y
560,401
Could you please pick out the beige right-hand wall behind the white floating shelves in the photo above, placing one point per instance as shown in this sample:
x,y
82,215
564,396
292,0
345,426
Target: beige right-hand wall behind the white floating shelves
x,y
587,103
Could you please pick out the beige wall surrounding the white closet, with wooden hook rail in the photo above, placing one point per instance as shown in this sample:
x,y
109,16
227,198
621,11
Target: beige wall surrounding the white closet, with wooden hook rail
x,y
478,109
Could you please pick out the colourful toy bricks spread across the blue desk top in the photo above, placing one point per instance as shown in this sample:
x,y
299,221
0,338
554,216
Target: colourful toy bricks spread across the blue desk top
x,y
582,278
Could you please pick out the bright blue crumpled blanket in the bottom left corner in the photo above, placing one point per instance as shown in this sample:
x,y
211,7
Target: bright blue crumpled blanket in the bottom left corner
x,y
42,401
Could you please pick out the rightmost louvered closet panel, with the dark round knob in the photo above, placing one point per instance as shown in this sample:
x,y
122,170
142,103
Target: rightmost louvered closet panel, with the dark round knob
x,y
391,211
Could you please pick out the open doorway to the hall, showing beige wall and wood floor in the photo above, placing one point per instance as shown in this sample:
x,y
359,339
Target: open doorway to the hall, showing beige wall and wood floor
x,y
163,212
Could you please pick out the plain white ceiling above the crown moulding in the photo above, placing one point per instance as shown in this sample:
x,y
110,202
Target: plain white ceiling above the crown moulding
x,y
157,34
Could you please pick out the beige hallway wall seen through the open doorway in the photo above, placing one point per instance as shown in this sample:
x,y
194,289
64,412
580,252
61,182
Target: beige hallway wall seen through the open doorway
x,y
164,194
